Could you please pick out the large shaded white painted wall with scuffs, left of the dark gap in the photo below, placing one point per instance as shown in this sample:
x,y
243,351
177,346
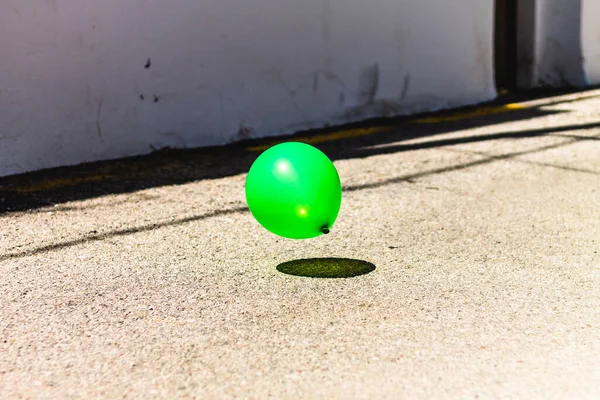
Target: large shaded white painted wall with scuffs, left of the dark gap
x,y
72,73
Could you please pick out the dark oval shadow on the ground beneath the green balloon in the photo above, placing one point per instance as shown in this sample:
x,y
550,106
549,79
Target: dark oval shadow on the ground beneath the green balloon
x,y
326,267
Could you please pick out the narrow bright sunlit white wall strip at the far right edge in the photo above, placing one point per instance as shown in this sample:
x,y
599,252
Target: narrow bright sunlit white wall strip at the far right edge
x,y
590,38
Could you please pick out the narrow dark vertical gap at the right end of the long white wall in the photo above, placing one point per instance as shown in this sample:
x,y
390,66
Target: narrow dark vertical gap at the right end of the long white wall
x,y
505,44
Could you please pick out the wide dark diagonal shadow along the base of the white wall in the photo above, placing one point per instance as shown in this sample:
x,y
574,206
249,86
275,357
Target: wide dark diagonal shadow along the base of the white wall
x,y
171,167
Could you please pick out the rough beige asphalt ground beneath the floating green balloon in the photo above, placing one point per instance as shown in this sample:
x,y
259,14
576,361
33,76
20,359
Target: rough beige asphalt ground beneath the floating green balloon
x,y
484,234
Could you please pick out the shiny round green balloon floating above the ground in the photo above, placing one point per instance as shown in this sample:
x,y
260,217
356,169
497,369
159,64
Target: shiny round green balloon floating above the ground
x,y
293,190
